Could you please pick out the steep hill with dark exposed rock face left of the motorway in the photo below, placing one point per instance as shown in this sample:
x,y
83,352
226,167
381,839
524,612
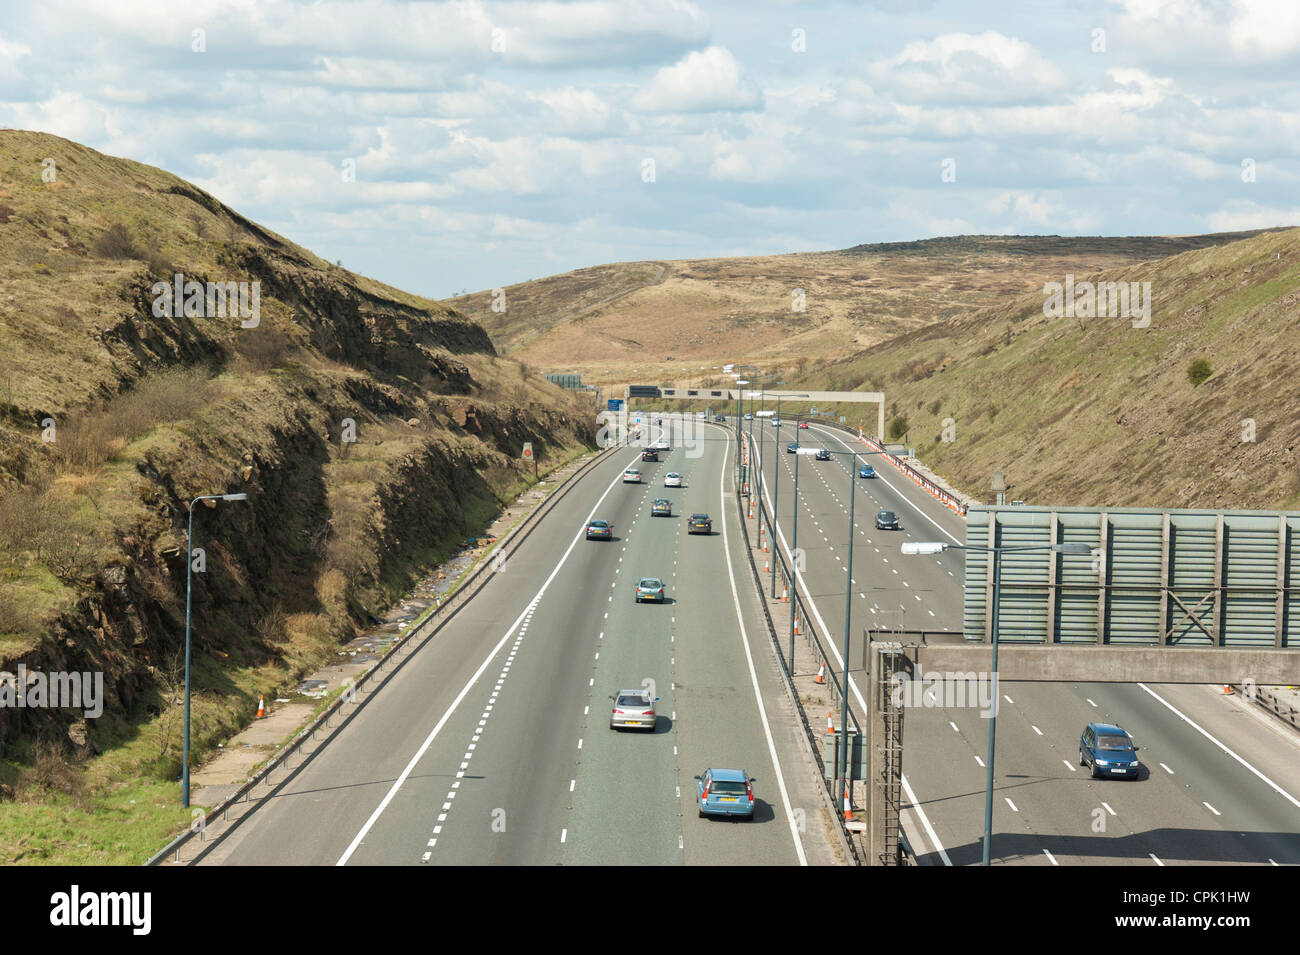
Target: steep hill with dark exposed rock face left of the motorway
x,y
371,429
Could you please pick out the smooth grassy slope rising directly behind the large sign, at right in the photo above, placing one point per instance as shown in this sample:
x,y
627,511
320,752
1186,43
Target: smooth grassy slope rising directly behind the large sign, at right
x,y
1098,413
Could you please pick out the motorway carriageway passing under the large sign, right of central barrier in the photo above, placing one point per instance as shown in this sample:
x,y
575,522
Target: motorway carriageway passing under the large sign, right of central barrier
x,y
1221,779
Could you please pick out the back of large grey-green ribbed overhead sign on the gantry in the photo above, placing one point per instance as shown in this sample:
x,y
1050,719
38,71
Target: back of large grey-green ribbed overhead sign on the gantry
x,y
1155,578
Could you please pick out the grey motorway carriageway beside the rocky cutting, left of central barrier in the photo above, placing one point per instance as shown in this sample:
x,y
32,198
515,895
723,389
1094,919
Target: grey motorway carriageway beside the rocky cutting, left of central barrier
x,y
492,744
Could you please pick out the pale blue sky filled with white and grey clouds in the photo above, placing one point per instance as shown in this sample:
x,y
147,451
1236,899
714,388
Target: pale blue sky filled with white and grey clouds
x,y
463,146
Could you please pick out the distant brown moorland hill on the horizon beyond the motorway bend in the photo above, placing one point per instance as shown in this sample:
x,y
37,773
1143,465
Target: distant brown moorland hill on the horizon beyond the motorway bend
x,y
662,320
